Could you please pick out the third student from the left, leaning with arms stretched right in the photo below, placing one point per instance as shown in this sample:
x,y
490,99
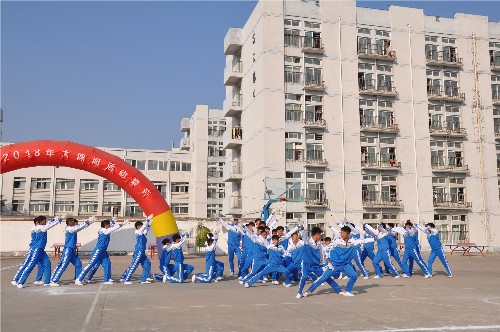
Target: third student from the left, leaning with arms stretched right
x,y
100,255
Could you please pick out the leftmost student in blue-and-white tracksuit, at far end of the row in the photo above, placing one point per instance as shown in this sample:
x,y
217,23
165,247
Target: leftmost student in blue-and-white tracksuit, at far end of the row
x,y
38,252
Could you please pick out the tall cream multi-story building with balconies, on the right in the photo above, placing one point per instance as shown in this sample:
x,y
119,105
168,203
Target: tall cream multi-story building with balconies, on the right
x,y
378,114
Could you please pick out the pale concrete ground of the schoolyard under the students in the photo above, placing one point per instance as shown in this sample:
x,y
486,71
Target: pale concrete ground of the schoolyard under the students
x,y
469,301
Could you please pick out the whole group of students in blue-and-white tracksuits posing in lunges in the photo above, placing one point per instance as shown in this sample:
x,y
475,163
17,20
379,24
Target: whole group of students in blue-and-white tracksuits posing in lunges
x,y
263,253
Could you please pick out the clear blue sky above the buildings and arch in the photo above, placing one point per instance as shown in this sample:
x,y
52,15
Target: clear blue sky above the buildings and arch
x,y
123,74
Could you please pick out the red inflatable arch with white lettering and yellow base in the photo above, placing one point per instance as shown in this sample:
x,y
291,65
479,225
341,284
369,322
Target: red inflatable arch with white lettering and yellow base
x,y
90,159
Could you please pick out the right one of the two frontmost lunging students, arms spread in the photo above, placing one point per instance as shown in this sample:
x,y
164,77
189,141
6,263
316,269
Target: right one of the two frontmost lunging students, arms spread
x,y
341,253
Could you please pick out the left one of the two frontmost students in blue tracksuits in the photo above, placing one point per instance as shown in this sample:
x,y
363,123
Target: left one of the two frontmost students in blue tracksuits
x,y
312,259
